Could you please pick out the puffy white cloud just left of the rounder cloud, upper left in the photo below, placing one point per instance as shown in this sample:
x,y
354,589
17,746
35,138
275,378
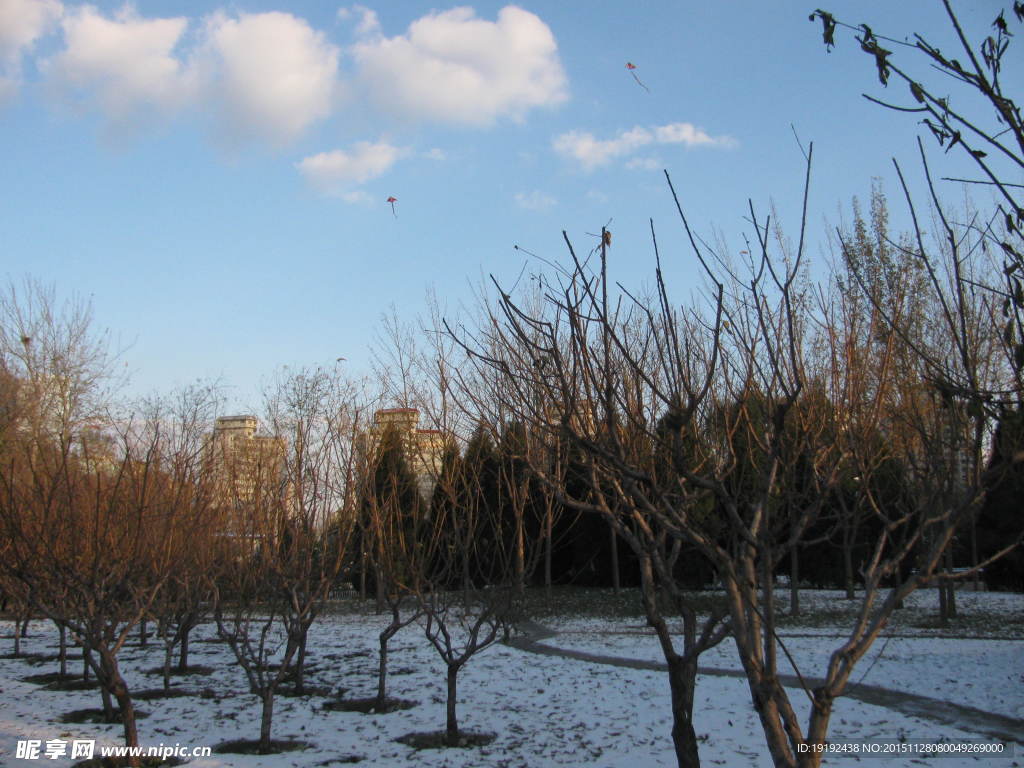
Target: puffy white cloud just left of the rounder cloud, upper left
x,y
127,64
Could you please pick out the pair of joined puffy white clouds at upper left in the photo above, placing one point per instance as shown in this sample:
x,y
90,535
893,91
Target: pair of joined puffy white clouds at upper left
x,y
266,76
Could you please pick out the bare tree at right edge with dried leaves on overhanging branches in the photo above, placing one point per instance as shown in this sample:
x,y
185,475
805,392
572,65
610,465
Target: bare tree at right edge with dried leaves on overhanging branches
x,y
972,362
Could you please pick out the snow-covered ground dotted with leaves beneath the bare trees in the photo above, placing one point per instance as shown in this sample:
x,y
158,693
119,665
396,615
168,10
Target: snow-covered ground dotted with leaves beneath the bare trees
x,y
545,711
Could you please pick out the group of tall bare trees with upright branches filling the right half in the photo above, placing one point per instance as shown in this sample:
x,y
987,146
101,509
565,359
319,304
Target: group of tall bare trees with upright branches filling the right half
x,y
746,429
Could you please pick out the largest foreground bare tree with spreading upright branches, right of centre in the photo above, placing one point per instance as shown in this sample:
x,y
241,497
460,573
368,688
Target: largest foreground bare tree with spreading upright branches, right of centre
x,y
722,398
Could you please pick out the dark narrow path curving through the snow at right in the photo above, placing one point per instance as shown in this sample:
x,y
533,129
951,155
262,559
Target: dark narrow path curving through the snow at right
x,y
535,641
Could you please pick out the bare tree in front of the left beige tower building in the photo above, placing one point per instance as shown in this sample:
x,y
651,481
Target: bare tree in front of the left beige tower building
x,y
290,520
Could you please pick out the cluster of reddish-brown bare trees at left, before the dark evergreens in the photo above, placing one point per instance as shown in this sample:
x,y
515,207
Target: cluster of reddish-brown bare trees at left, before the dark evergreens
x,y
112,516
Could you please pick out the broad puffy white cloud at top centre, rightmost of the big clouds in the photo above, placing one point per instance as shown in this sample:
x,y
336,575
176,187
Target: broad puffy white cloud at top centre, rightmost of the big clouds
x,y
454,68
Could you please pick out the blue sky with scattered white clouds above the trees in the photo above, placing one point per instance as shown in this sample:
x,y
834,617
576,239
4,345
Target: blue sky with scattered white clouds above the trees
x,y
216,177
